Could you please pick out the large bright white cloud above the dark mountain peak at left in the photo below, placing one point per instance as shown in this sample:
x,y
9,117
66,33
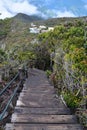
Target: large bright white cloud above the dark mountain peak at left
x,y
9,8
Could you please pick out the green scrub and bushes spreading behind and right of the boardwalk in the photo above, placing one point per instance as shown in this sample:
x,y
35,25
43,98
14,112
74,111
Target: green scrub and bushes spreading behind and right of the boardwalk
x,y
62,52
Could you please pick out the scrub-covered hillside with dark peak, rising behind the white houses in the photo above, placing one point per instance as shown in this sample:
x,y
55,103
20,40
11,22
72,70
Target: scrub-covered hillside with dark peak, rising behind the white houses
x,y
16,29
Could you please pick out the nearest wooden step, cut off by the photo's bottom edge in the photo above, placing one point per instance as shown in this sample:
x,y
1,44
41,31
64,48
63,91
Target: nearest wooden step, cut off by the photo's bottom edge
x,y
43,127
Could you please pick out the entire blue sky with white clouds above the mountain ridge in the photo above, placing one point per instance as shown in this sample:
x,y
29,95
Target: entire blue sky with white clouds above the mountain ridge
x,y
44,8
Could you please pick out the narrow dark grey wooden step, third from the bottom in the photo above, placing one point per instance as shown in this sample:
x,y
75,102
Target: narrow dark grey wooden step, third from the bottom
x,y
45,111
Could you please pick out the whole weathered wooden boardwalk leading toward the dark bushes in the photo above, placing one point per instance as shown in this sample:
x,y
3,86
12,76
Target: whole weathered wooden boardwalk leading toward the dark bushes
x,y
39,108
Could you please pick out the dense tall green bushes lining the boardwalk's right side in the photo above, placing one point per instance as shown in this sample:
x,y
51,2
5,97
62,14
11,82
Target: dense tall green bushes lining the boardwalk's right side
x,y
69,46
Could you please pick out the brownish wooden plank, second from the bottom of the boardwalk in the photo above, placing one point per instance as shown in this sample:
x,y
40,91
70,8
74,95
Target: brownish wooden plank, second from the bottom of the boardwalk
x,y
24,118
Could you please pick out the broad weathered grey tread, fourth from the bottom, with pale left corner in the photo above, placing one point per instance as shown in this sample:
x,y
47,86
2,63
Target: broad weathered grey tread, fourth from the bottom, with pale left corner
x,y
39,100
